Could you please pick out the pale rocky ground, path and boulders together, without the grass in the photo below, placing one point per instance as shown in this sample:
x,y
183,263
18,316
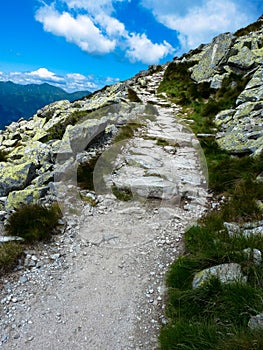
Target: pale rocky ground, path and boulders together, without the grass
x,y
100,283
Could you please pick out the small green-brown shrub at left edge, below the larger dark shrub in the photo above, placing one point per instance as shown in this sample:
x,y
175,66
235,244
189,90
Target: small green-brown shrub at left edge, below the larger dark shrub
x,y
10,252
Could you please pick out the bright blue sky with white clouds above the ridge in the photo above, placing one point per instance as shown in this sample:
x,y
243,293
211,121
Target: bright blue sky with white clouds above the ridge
x,y
86,44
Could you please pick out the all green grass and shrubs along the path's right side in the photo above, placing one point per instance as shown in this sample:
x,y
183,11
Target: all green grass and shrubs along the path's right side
x,y
215,315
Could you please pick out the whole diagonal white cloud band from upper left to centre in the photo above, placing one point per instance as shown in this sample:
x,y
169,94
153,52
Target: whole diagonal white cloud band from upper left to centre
x,y
91,25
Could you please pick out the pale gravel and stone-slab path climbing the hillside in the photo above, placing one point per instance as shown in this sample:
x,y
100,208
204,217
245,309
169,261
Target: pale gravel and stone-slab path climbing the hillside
x,y
101,284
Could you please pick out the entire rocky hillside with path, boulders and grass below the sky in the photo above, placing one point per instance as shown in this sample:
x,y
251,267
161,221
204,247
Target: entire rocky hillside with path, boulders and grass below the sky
x,y
159,180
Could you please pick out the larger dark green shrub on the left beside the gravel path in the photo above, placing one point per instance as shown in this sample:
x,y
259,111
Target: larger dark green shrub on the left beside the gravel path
x,y
34,222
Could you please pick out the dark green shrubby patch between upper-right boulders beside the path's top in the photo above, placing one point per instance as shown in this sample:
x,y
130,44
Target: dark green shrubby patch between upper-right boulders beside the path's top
x,y
199,101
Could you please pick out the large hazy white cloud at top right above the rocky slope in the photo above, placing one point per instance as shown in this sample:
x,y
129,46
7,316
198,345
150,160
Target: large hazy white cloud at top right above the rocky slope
x,y
199,21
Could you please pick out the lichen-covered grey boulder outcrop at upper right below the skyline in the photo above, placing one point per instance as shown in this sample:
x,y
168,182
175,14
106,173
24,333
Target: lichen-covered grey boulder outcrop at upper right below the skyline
x,y
240,128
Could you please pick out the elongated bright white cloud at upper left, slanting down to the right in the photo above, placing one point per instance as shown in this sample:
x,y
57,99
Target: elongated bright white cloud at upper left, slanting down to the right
x,y
79,30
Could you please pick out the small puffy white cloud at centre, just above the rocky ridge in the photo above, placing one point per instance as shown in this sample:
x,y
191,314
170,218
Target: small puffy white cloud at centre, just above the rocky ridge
x,y
143,50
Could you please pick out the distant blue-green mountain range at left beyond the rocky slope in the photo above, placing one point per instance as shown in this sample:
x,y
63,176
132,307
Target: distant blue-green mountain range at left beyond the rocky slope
x,y
18,101
